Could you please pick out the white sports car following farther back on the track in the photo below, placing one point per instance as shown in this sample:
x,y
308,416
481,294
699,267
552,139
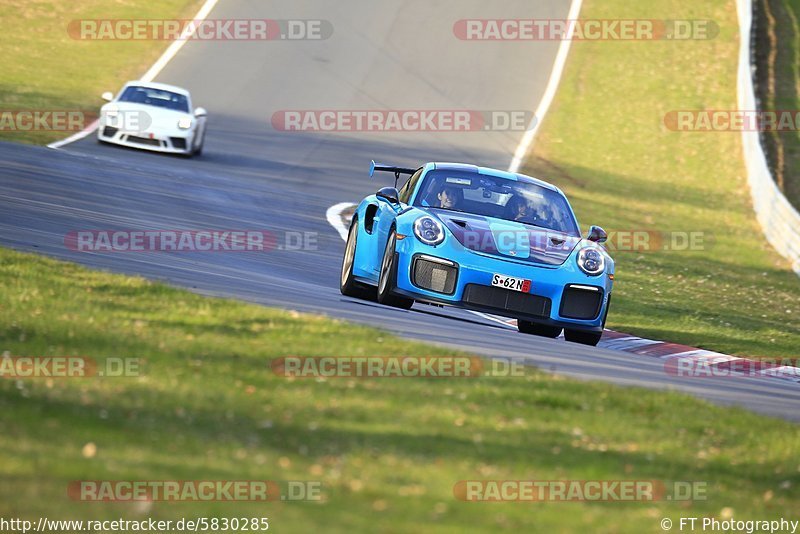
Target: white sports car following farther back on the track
x,y
153,116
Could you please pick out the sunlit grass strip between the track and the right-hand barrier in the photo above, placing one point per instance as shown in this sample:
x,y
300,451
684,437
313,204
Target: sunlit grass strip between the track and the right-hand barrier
x,y
605,143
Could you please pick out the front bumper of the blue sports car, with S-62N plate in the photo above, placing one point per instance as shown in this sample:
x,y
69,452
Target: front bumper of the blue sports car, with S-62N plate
x,y
560,295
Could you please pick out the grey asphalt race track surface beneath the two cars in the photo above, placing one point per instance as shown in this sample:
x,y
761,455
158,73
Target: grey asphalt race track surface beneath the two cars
x,y
382,55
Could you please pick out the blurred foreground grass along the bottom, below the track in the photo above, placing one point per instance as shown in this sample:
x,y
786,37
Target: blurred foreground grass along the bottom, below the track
x,y
386,451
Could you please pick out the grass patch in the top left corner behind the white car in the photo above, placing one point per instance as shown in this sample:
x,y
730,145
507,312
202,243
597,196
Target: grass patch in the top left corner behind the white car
x,y
43,68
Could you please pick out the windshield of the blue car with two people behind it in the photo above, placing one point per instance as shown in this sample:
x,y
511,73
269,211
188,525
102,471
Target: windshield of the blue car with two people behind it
x,y
501,198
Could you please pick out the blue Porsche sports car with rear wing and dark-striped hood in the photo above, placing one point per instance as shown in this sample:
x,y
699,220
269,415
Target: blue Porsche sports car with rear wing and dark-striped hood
x,y
481,239
